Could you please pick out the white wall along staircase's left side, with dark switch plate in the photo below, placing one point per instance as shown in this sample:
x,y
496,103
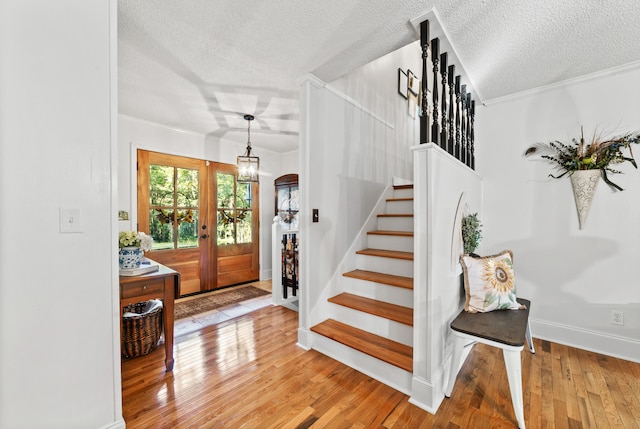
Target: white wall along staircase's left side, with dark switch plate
x,y
356,135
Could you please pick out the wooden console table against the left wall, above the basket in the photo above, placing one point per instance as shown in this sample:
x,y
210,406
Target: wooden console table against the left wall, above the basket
x,y
163,284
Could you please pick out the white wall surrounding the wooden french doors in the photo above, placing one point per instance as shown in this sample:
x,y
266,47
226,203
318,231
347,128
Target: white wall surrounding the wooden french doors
x,y
137,134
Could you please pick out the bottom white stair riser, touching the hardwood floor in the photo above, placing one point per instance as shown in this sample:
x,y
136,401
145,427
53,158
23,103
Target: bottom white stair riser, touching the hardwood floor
x,y
385,373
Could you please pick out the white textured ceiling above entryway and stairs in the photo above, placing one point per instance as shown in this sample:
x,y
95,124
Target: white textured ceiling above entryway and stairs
x,y
200,65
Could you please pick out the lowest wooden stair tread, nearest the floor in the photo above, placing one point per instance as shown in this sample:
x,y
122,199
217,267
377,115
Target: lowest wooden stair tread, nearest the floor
x,y
381,348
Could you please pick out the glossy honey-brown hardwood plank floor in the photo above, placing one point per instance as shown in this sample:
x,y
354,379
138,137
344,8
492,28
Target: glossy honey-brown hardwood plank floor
x,y
248,373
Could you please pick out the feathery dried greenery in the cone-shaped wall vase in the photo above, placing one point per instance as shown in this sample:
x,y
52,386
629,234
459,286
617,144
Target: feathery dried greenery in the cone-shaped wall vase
x,y
599,154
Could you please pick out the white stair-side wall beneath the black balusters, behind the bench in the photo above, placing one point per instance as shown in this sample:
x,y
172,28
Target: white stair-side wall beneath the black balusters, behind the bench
x,y
439,182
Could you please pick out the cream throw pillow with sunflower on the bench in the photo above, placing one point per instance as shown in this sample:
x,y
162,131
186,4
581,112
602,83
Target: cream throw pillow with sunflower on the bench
x,y
489,283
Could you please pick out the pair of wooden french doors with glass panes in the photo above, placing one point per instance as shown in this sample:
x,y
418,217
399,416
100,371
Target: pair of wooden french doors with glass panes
x,y
205,224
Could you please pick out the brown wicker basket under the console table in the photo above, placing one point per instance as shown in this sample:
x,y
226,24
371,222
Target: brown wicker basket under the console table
x,y
141,328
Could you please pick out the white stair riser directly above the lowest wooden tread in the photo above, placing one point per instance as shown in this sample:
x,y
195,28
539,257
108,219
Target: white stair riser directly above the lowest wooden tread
x,y
380,326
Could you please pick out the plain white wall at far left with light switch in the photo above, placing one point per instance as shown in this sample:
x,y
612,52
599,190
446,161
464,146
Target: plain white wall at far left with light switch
x,y
59,332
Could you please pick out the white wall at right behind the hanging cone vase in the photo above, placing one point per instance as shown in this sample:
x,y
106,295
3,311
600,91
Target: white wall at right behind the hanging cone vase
x,y
574,277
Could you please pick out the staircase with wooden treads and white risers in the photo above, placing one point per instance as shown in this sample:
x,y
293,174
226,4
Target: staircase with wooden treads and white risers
x,y
371,323
